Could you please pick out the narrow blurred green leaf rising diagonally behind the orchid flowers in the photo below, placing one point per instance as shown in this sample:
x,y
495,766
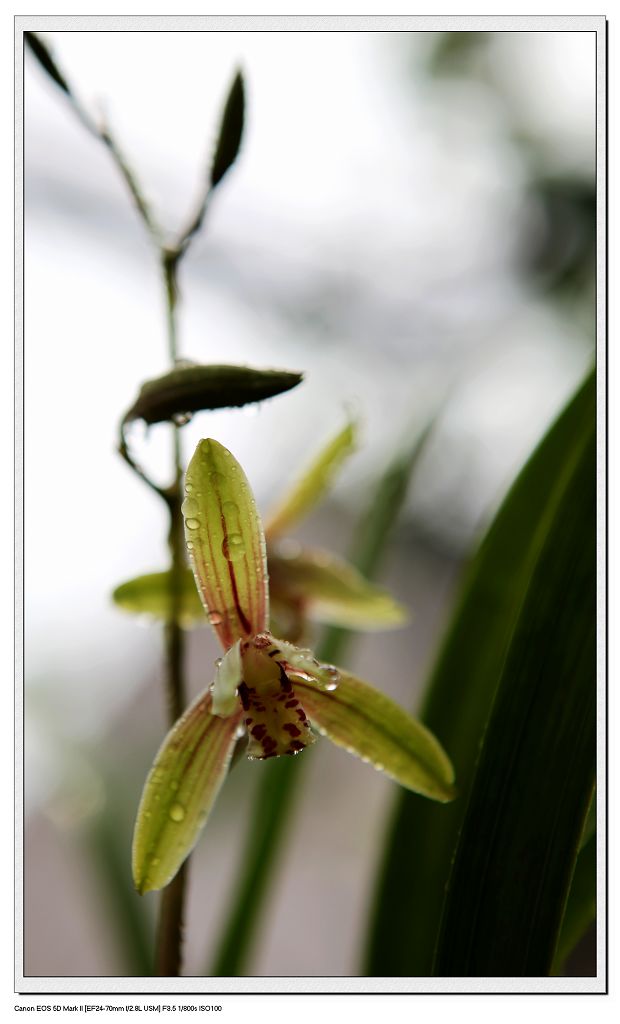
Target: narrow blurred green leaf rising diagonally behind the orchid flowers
x,y
268,829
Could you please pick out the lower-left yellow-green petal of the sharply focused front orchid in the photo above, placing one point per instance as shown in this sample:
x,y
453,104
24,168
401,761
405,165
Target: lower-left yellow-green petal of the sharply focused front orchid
x,y
180,793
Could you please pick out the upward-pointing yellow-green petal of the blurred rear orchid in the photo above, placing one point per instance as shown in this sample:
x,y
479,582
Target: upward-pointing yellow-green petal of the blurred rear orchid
x,y
314,484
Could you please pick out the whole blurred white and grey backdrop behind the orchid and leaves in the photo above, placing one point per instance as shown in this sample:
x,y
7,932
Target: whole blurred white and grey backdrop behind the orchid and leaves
x,y
411,224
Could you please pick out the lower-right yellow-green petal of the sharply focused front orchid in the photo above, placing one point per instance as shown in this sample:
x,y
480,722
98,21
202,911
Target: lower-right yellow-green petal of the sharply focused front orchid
x,y
368,724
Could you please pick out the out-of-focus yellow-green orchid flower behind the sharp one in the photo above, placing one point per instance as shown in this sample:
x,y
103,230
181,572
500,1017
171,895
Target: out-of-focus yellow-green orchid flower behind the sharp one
x,y
305,583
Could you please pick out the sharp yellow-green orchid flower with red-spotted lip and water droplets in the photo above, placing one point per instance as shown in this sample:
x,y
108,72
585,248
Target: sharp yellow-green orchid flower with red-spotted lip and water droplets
x,y
266,689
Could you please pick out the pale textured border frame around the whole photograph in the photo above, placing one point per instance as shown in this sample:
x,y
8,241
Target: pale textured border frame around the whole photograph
x,y
288,986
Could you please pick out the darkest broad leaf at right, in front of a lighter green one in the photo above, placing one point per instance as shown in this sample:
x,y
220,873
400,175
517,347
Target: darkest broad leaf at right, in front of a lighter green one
x,y
534,781
